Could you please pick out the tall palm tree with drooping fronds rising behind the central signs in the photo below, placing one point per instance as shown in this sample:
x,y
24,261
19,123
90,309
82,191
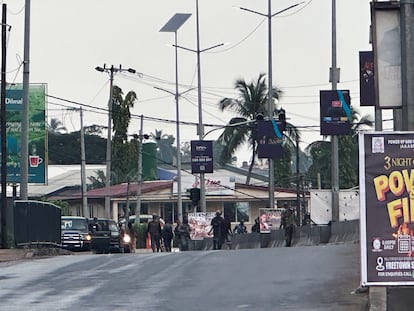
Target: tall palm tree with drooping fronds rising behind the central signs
x,y
253,100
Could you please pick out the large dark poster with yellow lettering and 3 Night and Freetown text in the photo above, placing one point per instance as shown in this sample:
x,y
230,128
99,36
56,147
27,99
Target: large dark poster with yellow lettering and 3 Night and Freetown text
x,y
387,208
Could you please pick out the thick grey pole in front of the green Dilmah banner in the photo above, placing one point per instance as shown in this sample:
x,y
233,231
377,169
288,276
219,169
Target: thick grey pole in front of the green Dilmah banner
x,y
24,164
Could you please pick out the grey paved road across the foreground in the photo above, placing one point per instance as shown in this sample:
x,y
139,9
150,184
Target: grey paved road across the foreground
x,y
303,278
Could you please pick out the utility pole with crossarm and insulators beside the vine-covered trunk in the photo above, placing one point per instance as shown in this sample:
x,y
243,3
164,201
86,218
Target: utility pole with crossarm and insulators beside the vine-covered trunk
x,y
111,70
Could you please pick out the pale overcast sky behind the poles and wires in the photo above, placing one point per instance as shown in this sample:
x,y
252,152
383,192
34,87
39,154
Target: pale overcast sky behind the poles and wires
x,y
68,39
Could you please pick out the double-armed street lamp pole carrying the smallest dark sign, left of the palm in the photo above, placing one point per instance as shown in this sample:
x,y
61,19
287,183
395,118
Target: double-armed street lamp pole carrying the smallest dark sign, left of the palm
x,y
200,130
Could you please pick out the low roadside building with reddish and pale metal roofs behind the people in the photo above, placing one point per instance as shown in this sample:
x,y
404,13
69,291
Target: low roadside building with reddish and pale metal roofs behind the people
x,y
225,190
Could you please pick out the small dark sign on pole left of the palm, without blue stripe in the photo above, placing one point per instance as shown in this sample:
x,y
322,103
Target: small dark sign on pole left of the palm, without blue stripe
x,y
201,156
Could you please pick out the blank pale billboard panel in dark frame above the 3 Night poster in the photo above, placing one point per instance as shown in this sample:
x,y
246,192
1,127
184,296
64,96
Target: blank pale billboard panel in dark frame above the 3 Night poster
x,y
387,51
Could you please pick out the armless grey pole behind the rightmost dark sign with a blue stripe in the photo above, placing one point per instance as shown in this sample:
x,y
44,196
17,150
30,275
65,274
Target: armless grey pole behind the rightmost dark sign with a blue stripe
x,y
334,77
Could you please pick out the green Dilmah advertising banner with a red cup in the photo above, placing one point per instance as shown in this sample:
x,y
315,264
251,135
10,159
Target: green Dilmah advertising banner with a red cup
x,y
37,133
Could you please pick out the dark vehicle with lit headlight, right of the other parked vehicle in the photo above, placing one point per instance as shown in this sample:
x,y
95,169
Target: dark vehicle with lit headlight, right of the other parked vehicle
x,y
106,236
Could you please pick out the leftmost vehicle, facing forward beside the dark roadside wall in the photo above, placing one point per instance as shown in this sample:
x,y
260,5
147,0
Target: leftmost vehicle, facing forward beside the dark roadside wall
x,y
75,233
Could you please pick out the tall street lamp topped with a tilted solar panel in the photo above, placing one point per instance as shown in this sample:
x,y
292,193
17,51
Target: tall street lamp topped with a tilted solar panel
x,y
172,26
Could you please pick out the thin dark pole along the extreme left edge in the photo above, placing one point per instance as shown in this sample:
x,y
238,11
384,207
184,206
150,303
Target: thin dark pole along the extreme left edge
x,y
3,131
